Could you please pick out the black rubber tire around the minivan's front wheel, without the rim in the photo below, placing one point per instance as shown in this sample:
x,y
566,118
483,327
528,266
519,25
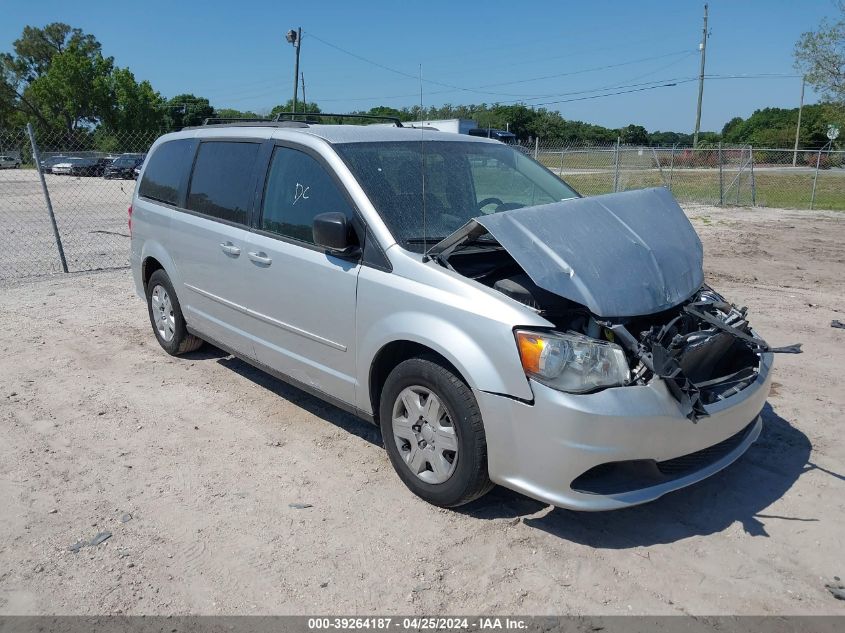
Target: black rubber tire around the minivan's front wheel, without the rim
x,y
470,479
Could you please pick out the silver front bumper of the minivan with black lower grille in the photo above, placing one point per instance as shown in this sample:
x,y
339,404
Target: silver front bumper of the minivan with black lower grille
x,y
540,449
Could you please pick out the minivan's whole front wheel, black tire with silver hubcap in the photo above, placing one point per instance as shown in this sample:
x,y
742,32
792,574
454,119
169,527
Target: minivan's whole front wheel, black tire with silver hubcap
x,y
433,433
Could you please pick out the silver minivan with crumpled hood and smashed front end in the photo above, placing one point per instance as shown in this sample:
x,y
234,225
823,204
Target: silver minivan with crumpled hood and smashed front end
x,y
500,328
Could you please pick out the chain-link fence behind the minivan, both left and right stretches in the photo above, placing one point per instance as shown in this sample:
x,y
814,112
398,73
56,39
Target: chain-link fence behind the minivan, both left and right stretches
x,y
76,219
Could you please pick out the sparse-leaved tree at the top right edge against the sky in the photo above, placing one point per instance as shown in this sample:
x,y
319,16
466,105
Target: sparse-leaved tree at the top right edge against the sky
x,y
820,57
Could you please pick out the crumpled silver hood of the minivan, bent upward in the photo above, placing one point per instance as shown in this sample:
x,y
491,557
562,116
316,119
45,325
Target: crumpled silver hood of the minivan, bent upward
x,y
621,254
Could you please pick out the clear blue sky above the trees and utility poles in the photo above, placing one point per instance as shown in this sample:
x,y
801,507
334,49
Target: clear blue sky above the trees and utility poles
x,y
235,53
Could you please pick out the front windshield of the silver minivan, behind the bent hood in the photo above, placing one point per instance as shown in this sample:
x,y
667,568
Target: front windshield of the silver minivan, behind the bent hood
x,y
463,180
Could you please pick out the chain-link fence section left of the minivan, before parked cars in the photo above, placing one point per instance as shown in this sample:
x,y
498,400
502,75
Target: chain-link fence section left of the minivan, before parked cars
x,y
76,219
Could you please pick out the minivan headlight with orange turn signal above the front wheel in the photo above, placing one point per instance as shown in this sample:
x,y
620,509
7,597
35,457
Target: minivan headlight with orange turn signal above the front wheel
x,y
571,362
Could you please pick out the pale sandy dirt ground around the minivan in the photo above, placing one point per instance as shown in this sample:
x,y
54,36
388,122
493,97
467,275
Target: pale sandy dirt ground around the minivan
x,y
192,464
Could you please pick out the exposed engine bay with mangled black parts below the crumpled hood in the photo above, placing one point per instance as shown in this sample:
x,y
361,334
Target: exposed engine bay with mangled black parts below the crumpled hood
x,y
703,348
